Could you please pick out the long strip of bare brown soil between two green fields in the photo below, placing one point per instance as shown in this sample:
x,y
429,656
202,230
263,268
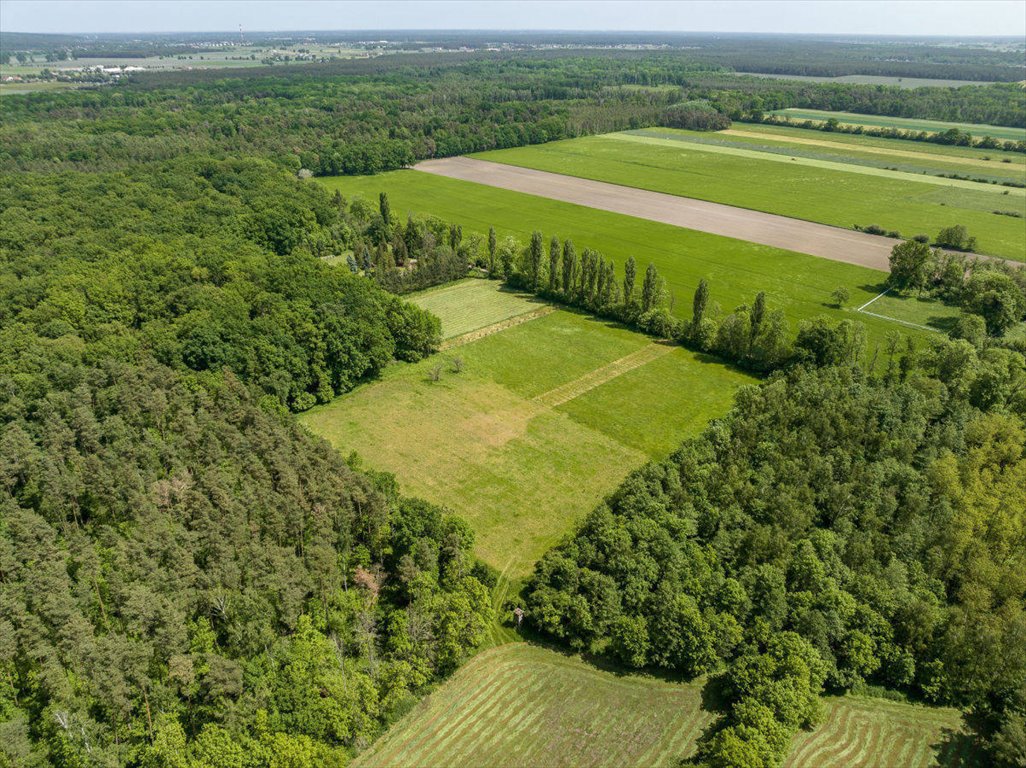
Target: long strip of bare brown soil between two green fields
x,y
717,219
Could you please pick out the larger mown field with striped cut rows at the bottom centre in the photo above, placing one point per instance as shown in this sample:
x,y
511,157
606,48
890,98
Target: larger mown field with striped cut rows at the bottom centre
x,y
520,705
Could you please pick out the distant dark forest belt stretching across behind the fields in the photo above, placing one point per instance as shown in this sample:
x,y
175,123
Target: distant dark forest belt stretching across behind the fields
x,y
372,115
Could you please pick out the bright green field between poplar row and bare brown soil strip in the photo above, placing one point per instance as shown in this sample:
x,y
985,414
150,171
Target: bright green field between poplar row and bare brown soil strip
x,y
799,285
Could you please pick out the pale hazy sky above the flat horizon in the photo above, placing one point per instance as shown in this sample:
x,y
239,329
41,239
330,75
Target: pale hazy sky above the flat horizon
x,y
960,18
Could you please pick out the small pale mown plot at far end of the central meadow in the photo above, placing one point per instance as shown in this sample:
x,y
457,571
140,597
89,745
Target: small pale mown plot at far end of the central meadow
x,y
471,305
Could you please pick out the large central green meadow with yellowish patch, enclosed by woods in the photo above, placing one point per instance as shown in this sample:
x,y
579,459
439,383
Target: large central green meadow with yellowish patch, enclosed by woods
x,y
569,402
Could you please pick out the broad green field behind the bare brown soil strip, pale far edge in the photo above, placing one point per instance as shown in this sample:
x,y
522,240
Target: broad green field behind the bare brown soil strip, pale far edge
x,y
735,172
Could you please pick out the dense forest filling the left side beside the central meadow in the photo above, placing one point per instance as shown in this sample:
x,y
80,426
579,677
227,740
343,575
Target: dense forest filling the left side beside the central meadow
x,y
187,578
